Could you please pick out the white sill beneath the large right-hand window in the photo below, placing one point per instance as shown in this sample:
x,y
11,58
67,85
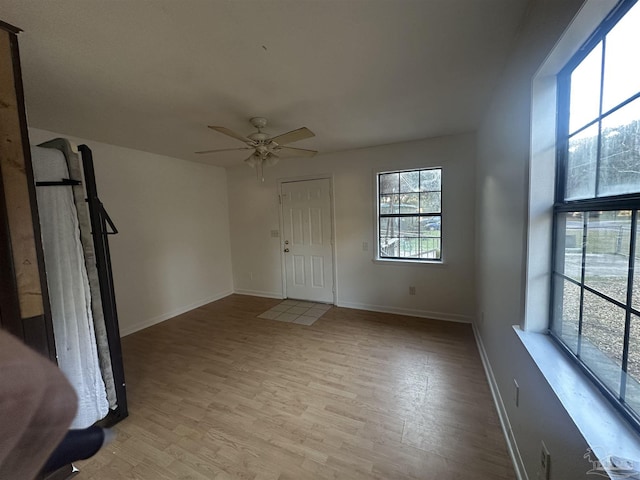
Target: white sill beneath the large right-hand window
x,y
604,430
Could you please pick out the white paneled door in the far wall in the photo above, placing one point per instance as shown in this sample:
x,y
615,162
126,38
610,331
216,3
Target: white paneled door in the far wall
x,y
308,252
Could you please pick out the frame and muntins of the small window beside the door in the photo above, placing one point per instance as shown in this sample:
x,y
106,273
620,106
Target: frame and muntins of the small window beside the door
x,y
378,216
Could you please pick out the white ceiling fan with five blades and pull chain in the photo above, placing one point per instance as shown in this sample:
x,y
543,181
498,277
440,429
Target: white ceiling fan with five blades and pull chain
x,y
266,150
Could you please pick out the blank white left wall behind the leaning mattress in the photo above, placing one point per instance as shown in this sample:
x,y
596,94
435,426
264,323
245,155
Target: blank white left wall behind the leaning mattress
x,y
172,252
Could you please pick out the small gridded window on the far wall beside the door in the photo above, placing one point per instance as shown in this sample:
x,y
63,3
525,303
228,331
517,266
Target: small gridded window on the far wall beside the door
x,y
410,215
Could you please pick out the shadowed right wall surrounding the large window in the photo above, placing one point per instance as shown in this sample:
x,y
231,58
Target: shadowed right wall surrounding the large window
x,y
501,219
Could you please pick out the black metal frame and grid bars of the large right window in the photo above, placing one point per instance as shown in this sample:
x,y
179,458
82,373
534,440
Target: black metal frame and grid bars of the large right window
x,y
619,202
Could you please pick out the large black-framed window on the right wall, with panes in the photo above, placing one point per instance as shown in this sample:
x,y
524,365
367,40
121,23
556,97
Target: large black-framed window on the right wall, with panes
x,y
596,267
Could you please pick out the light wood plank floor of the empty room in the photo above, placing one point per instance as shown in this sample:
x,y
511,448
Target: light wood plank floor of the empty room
x,y
218,394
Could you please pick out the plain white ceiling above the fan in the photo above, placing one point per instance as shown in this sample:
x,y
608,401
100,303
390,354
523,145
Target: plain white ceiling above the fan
x,y
151,74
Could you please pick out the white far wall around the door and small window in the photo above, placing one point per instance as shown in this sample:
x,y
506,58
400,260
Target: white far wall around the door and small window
x,y
443,291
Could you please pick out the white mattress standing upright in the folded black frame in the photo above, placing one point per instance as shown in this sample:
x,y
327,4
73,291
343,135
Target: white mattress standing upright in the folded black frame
x,y
68,288
